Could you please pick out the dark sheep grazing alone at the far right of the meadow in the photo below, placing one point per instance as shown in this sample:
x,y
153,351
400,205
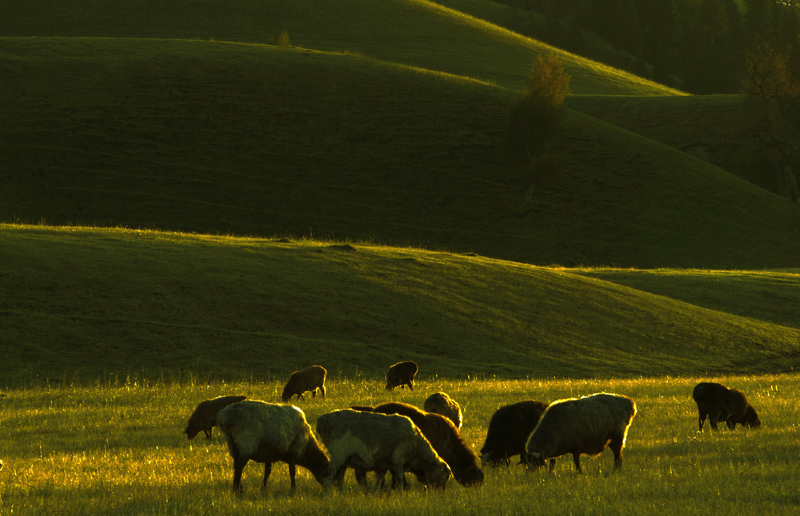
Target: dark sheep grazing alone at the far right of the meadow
x,y
723,404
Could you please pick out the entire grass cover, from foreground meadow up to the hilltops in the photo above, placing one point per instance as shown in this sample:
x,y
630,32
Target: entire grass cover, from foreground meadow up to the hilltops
x,y
193,205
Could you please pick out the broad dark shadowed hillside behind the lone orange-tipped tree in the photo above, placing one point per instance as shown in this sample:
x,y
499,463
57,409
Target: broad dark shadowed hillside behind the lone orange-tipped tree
x,y
217,137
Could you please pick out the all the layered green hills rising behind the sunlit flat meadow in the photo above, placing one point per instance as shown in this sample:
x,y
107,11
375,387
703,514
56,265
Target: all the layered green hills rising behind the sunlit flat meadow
x,y
381,124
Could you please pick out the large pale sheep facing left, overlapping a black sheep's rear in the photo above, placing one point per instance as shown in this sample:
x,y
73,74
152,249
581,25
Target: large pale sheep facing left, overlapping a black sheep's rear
x,y
584,425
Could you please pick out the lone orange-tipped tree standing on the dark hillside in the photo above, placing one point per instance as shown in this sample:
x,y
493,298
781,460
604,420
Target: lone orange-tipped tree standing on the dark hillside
x,y
534,117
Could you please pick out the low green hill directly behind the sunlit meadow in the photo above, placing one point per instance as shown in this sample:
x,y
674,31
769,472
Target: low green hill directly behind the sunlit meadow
x,y
89,302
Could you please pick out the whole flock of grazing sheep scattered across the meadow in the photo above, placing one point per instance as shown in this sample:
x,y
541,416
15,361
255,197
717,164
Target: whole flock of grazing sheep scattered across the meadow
x,y
397,437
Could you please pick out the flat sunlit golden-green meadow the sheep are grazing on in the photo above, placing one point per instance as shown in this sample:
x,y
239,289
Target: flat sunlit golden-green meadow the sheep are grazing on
x,y
116,447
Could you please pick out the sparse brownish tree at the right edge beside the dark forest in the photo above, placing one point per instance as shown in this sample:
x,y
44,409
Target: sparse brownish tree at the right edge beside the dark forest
x,y
772,84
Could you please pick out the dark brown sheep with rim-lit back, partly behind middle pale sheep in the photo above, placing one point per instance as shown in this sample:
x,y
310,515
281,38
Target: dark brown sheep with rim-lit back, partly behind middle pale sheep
x,y
443,436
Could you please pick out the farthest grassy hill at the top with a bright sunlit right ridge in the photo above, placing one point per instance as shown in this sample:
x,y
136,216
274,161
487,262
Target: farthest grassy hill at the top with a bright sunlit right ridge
x,y
414,32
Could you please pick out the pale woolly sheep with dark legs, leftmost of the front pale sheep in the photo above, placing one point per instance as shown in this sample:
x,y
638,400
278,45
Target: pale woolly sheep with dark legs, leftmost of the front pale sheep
x,y
267,433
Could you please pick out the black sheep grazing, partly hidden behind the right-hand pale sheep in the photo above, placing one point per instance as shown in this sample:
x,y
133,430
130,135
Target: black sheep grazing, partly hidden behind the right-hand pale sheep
x,y
509,430
